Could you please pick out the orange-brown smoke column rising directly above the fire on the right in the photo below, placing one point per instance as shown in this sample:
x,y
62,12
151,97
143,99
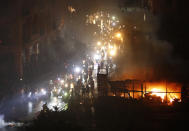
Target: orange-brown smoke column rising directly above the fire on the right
x,y
145,57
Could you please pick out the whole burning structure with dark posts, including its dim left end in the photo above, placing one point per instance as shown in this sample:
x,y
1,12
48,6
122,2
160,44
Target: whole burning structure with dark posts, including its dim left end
x,y
162,91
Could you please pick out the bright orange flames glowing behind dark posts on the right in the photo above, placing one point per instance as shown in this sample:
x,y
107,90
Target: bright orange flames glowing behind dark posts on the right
x,y
168,92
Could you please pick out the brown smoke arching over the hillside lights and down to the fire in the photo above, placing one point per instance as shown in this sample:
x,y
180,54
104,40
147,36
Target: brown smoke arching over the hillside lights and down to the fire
x,y
144,55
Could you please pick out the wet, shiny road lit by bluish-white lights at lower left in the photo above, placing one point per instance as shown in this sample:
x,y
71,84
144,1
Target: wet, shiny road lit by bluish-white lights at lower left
x,y
25,106
